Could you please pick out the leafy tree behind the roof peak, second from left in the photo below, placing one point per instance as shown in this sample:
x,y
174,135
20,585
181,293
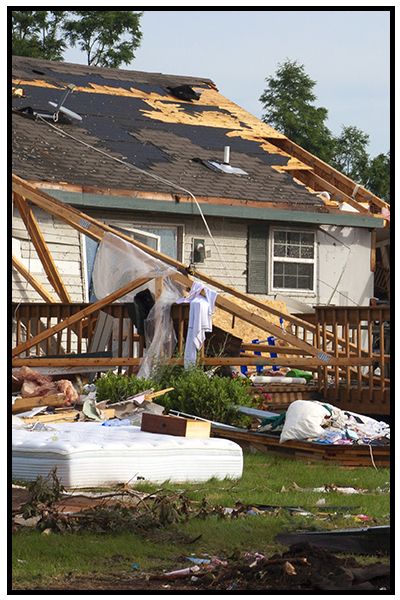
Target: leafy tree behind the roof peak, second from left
x,y
109,38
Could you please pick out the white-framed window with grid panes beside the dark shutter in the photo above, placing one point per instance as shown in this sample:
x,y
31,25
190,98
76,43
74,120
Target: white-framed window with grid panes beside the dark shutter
x,y
292,260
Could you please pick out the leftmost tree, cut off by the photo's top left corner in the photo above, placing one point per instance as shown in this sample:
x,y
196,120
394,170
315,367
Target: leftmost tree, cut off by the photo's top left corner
x,y
37,33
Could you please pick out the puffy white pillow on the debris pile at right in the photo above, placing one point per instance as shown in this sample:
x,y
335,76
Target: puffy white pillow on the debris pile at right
x,y
303,420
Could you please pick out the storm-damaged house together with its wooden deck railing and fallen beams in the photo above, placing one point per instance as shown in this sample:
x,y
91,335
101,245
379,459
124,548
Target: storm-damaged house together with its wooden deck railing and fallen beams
x,y
167,164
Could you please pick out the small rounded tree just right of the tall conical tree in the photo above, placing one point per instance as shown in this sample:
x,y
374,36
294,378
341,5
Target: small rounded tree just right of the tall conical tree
x,y
350,154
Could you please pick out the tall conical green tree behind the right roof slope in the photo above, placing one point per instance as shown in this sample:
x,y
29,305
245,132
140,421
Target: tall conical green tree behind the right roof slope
x,y
288,103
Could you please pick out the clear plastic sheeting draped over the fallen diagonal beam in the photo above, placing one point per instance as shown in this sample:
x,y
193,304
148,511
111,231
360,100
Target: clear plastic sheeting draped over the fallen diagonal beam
x,y
117,263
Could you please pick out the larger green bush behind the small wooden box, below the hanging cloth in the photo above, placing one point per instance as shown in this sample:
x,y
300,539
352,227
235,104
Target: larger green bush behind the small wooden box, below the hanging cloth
x,y
198,394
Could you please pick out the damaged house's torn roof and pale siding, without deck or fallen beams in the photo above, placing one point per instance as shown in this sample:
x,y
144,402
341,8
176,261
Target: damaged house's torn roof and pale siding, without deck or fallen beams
x,y
283,224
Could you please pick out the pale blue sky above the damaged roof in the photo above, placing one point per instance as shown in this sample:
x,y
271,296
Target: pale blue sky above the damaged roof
x,y
345,52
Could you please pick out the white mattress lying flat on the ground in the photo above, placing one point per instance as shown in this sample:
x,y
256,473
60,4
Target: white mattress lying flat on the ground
x,y
91,455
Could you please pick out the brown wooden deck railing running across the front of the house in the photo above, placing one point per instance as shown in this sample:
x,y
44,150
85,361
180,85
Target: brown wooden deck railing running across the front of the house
x,y
355,339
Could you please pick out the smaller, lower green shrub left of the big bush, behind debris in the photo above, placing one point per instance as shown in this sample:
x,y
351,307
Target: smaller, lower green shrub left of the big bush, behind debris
x,y
117,388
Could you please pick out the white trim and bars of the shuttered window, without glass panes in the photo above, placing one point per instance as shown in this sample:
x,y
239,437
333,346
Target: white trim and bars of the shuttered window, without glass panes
x,y
290,291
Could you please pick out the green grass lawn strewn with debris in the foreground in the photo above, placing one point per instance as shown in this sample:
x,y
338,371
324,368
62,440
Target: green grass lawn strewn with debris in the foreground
x,y
38,558
